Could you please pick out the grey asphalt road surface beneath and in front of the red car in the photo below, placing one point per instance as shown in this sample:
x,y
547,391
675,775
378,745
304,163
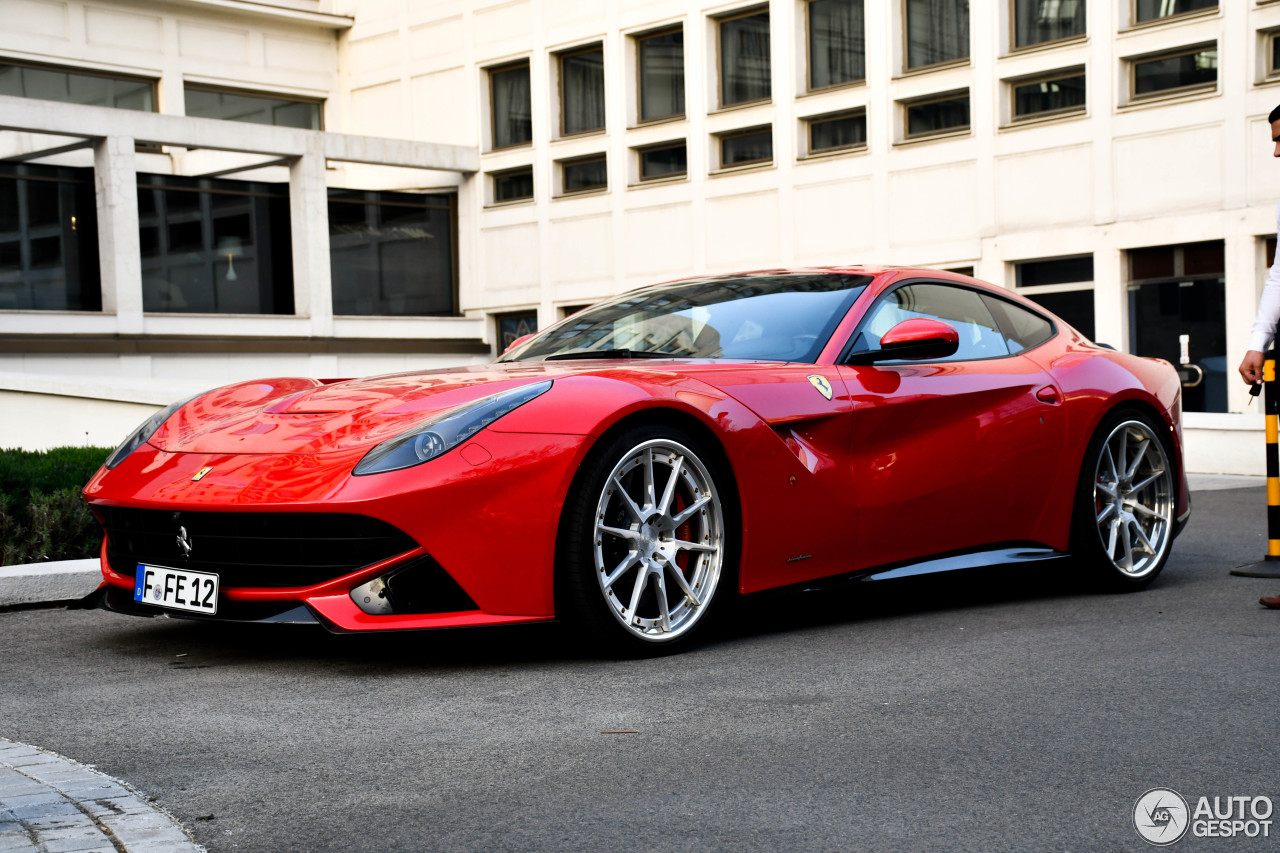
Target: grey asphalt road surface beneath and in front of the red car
x,y
993,711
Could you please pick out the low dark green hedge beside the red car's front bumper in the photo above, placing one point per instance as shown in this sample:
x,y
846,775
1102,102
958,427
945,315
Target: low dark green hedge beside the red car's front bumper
x,y
43,516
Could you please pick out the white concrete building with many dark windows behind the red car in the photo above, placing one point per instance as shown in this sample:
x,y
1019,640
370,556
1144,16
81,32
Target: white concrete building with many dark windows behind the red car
x,y
487,166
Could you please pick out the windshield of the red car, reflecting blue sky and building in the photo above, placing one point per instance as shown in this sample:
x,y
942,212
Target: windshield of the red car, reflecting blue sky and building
x,y
775,317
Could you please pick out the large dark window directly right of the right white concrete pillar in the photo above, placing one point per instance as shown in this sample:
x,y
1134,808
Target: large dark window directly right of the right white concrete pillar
x,y
392,254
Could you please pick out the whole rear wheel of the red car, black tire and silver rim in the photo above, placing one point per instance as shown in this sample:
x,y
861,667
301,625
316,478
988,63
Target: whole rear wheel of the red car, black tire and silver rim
x,y
1123,523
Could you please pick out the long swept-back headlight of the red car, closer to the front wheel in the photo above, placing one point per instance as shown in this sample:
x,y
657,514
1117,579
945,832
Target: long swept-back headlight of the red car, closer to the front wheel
x,y
445,432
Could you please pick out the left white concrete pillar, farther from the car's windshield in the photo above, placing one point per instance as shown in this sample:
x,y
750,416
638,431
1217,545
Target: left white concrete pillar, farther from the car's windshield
x,y
116,186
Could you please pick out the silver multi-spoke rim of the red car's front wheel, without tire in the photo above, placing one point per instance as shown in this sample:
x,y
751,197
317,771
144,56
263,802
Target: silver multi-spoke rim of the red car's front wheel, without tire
x,y
660,540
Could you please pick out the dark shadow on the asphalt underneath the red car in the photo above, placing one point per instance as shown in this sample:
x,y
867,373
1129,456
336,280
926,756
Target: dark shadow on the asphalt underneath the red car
x,y
193,645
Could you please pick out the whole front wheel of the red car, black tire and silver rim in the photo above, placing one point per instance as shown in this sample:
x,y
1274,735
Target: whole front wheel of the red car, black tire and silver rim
x,y
646,542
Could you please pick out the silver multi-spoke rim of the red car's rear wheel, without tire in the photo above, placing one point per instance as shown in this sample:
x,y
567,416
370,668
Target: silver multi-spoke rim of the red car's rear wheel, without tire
x,y
1133,499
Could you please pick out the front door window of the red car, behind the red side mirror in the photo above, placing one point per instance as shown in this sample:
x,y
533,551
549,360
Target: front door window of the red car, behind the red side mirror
x,y
957,307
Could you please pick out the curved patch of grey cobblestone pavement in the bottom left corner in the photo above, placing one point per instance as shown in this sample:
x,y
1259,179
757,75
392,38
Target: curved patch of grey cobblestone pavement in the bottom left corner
x,y
53,805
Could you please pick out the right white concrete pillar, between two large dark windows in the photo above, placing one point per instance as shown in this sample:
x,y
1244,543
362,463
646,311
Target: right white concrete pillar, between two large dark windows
x,y
309,221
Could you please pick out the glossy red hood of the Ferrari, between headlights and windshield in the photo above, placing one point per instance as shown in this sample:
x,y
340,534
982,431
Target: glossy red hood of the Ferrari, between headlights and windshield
x,y
310,417
